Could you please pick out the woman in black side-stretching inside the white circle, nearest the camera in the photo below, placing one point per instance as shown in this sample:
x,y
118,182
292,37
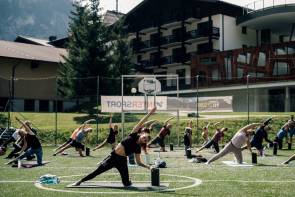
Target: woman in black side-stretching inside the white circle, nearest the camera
x,y
118,157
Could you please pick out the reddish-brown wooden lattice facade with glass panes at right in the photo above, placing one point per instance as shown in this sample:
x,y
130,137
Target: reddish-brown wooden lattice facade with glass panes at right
x,y
261,63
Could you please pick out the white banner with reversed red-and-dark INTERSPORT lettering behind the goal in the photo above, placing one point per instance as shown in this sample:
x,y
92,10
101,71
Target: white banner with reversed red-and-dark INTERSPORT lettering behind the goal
x,y
131,103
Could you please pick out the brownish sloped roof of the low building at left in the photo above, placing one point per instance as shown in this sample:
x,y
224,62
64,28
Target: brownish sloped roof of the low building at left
x,y
31,52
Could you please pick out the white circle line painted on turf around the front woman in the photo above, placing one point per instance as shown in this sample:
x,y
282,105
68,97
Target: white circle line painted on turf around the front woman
x,y
194,180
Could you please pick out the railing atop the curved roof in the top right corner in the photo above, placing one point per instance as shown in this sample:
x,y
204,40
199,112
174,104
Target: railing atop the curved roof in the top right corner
x,y
265,4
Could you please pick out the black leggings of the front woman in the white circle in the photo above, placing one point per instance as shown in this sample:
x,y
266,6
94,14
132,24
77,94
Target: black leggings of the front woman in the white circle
x,y
112,161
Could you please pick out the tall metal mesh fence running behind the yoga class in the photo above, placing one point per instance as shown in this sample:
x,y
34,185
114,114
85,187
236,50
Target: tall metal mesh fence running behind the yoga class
x,y
56,115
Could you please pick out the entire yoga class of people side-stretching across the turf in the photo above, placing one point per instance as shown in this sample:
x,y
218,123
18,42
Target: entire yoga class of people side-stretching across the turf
x,y
26,143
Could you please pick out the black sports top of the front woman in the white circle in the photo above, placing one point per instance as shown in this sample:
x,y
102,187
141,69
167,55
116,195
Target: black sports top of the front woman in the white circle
x,y
130,144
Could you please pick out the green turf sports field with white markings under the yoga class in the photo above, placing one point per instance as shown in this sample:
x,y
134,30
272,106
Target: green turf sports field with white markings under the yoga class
x,y
268,178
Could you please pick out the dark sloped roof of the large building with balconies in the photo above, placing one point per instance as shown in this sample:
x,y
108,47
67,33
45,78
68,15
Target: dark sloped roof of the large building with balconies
x,y
152,13
